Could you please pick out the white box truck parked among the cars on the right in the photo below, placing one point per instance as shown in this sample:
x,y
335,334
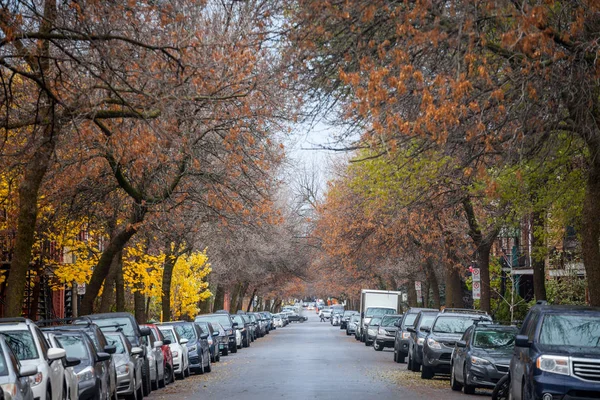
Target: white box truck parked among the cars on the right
x,y
377,302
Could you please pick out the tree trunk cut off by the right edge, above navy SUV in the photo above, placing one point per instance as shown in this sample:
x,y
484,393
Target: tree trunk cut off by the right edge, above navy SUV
x,y
590,235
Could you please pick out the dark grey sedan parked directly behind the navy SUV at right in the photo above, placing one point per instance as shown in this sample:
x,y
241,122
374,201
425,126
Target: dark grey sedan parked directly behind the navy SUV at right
x,y
481,357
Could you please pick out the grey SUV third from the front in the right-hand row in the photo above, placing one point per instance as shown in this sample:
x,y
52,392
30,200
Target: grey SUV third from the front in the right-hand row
x,y
446,330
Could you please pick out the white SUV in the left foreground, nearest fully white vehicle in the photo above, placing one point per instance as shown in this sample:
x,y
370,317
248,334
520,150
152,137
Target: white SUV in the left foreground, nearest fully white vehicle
x,y
32,349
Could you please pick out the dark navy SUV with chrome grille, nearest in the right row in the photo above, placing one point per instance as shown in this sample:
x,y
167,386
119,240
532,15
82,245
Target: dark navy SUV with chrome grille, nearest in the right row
x,y
557,354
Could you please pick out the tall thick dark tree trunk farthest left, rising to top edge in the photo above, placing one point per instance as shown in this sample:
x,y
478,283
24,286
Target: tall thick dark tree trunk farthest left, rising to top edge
x,y
33,174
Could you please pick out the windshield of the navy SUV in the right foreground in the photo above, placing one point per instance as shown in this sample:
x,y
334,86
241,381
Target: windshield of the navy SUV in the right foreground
x,y
575,330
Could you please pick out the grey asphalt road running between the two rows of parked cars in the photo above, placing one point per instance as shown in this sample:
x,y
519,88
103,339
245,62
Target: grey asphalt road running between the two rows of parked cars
x,y
310,360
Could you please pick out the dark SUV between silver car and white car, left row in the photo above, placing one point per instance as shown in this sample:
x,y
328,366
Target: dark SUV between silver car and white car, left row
x,y
126,323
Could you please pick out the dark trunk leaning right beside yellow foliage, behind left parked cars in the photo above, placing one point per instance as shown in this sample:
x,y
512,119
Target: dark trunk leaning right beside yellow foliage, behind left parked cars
x,y
116,244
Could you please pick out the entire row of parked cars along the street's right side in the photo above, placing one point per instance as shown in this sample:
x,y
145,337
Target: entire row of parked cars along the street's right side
x,y
553,355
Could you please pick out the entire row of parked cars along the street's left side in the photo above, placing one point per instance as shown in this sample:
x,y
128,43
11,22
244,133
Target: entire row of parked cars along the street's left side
x,y
110,356
